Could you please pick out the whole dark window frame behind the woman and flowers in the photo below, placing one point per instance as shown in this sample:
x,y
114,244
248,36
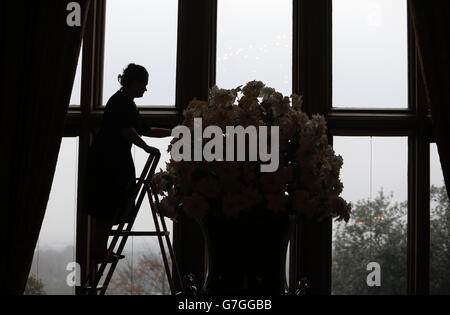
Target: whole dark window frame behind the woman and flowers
x,y
312,77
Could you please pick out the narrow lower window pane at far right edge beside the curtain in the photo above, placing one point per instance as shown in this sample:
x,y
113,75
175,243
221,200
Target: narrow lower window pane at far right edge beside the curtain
x,y
439,228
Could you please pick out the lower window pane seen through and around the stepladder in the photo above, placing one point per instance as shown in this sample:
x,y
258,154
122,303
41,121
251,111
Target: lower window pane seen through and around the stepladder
x,y
142,272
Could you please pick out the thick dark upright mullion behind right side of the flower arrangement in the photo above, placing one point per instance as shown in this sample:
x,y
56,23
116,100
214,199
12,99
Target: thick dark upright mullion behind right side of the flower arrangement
x,y
312,78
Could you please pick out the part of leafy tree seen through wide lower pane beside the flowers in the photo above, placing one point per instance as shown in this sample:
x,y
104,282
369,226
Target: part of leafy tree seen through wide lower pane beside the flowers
x,y
377,233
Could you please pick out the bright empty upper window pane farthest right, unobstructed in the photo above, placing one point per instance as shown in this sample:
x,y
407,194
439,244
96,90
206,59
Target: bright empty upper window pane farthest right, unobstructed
x,y
370,53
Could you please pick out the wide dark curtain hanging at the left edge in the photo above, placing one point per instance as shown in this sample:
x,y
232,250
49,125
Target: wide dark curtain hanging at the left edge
x,y
39,58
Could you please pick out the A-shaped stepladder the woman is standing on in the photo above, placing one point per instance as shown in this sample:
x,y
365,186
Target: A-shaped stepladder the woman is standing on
x,y
99,276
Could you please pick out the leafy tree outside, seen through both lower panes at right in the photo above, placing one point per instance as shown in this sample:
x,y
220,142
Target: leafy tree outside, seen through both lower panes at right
x,y
377,233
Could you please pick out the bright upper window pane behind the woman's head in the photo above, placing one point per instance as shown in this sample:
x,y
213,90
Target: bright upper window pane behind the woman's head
x,y
142,32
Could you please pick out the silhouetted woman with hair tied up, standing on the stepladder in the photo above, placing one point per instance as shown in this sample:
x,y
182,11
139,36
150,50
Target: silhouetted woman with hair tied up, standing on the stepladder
x,y
111,173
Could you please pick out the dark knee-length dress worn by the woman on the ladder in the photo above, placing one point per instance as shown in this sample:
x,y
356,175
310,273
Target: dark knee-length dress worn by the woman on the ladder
x,y
111,176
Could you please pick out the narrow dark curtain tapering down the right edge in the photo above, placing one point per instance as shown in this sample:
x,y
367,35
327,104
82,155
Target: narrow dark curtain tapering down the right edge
x,y
431,20
